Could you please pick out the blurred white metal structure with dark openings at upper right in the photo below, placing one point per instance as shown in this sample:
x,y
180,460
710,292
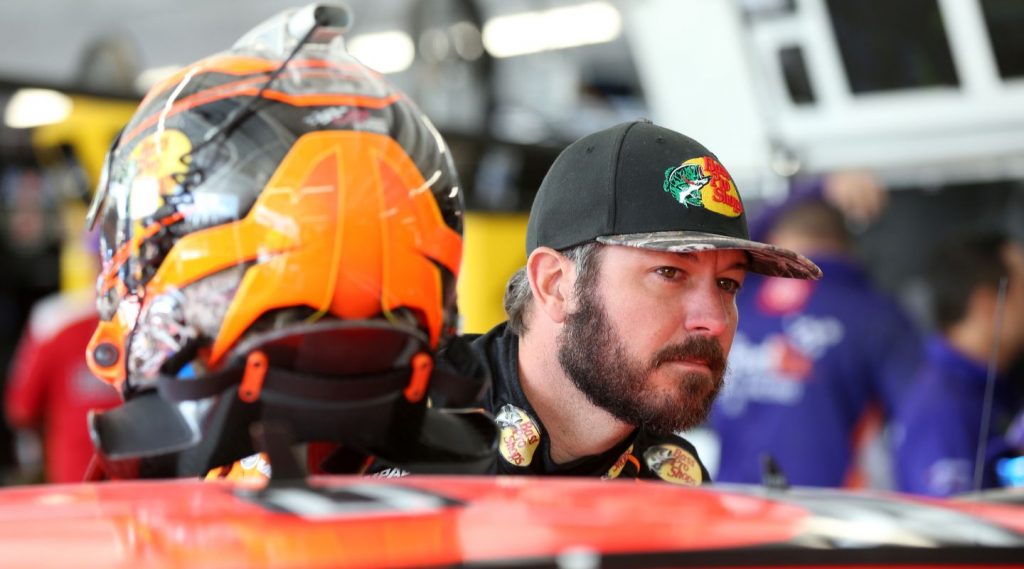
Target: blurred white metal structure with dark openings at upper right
x,y
709,65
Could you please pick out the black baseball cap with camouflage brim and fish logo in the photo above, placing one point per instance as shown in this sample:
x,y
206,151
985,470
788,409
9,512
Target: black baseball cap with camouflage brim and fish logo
x,y
638,185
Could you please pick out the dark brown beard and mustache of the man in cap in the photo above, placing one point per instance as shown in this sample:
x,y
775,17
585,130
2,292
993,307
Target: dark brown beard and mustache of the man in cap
x,y
595,359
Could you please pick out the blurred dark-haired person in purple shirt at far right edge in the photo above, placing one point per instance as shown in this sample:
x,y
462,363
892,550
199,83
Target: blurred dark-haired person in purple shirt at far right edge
x,y
945,418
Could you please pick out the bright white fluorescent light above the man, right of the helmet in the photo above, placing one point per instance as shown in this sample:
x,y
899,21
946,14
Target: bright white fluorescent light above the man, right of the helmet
x,y
520,34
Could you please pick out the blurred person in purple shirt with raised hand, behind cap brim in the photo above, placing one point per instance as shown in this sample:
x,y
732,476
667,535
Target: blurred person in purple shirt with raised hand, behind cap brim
x,y
814,364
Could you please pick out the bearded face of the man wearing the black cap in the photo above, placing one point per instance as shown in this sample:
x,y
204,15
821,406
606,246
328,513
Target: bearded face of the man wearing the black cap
x,y
648,341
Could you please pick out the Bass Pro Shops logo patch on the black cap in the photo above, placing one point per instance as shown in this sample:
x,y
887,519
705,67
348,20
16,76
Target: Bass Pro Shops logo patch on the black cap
x,y
704,183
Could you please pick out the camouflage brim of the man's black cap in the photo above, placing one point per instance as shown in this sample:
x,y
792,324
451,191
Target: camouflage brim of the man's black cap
x,y
765,259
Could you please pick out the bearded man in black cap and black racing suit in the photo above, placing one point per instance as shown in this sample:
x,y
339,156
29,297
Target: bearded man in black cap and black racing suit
x,y
622,320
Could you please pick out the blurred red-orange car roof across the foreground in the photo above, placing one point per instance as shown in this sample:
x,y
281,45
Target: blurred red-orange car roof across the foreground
x,y
432,521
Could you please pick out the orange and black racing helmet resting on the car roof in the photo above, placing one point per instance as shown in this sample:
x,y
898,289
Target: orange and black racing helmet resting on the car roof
x,y
281,234
